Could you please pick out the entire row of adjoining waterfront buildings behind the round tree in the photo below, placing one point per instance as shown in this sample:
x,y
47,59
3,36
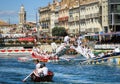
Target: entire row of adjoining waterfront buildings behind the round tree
x,y
81,16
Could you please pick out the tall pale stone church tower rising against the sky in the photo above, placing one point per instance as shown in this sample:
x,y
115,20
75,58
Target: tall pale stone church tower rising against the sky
x,y
22,17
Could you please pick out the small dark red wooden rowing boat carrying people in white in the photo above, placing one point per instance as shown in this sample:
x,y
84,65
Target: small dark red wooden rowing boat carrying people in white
x,y
47,78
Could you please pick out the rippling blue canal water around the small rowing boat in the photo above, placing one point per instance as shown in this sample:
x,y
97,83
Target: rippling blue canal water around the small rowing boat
x,y
13,72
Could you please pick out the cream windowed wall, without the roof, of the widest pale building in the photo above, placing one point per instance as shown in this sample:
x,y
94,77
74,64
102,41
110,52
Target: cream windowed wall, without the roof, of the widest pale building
x,y
90,14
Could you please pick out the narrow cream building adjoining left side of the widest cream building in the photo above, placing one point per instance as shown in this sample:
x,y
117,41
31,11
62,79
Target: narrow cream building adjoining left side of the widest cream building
x,y
73,18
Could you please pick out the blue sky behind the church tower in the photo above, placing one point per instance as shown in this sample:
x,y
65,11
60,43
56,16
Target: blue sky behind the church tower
x,y
9,9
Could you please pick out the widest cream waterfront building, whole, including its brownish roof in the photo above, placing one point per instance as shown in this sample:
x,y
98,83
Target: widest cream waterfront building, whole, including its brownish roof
x,y
90,16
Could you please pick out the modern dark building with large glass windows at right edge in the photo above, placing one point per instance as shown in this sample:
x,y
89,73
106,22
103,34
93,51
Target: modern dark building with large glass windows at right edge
x,y
114,15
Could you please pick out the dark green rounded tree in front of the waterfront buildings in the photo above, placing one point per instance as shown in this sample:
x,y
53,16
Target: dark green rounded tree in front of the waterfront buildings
x,y
59,31
